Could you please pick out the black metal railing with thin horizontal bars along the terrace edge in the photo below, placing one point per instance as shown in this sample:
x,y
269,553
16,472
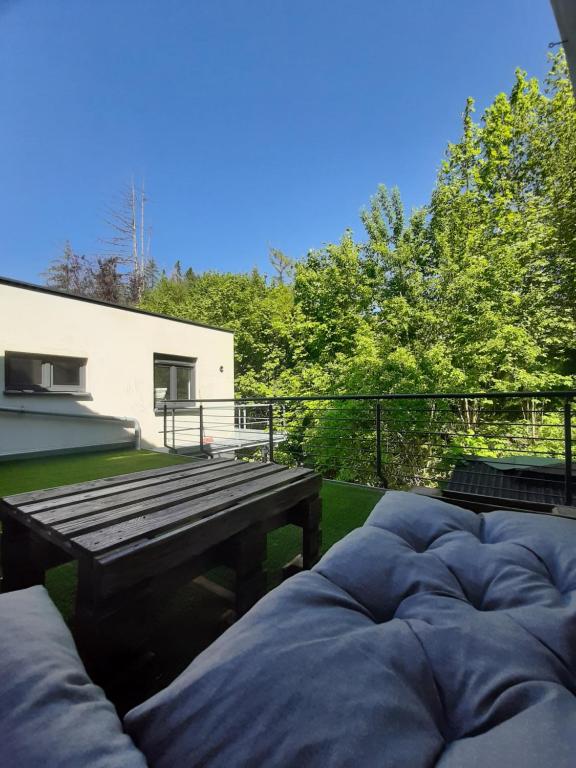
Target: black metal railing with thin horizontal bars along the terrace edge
x,y
514,445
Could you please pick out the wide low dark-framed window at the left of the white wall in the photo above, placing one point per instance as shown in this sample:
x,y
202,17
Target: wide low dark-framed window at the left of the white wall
x,y
44,373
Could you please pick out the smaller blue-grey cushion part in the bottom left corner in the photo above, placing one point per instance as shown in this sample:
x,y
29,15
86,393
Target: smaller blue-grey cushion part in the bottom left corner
x,y
51,714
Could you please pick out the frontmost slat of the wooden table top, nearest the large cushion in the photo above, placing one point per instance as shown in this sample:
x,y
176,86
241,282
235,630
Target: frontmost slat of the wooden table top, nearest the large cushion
x,y
164,519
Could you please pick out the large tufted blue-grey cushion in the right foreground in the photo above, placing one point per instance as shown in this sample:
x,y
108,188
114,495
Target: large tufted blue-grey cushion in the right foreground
x,y
430,636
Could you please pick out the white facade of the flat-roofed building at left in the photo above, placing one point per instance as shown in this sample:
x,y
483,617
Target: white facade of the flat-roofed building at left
x,y
118,347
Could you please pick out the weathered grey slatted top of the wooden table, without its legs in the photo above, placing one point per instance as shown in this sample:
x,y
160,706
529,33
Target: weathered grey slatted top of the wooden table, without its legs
x,y
105,517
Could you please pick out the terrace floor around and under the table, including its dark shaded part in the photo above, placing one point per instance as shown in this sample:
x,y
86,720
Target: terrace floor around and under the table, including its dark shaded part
x,y
190,619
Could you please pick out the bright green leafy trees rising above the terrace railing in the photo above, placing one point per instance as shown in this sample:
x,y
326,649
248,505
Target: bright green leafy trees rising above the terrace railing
x,y
475,291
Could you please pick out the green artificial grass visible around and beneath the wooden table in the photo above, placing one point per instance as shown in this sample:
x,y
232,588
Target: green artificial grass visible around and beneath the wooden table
x,y
345,507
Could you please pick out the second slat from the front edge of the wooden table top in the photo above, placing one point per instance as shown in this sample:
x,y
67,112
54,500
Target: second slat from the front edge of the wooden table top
x,y
115,516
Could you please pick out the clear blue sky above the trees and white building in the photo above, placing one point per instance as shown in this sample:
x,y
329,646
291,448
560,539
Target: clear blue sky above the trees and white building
x,y
253,122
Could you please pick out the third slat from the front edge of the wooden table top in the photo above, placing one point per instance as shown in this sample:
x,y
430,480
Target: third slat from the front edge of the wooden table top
x,y
123,498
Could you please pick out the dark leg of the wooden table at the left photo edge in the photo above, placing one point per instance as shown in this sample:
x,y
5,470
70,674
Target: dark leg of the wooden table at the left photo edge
x,y
20,569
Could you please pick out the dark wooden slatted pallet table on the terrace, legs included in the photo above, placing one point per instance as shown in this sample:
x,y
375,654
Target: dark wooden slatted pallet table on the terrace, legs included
x,y
152,531
